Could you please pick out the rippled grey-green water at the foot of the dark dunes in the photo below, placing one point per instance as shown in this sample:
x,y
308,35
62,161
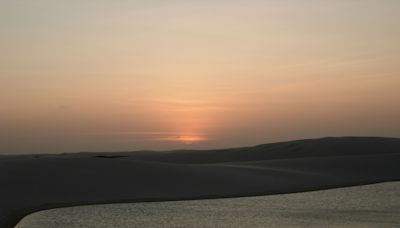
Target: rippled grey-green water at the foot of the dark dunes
x,y
364,206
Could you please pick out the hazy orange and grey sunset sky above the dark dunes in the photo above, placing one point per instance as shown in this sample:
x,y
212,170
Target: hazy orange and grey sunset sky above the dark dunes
x,y
162,75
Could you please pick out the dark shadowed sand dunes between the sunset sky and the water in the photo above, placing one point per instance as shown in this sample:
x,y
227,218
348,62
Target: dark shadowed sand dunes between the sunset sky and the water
x,y
34,182
